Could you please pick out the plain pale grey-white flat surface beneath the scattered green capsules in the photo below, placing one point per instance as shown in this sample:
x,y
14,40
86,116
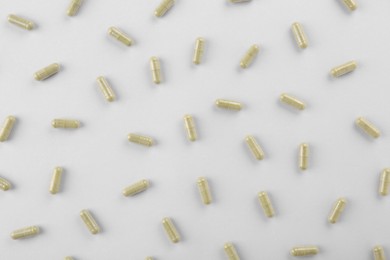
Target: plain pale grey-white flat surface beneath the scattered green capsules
x,y
99,161
